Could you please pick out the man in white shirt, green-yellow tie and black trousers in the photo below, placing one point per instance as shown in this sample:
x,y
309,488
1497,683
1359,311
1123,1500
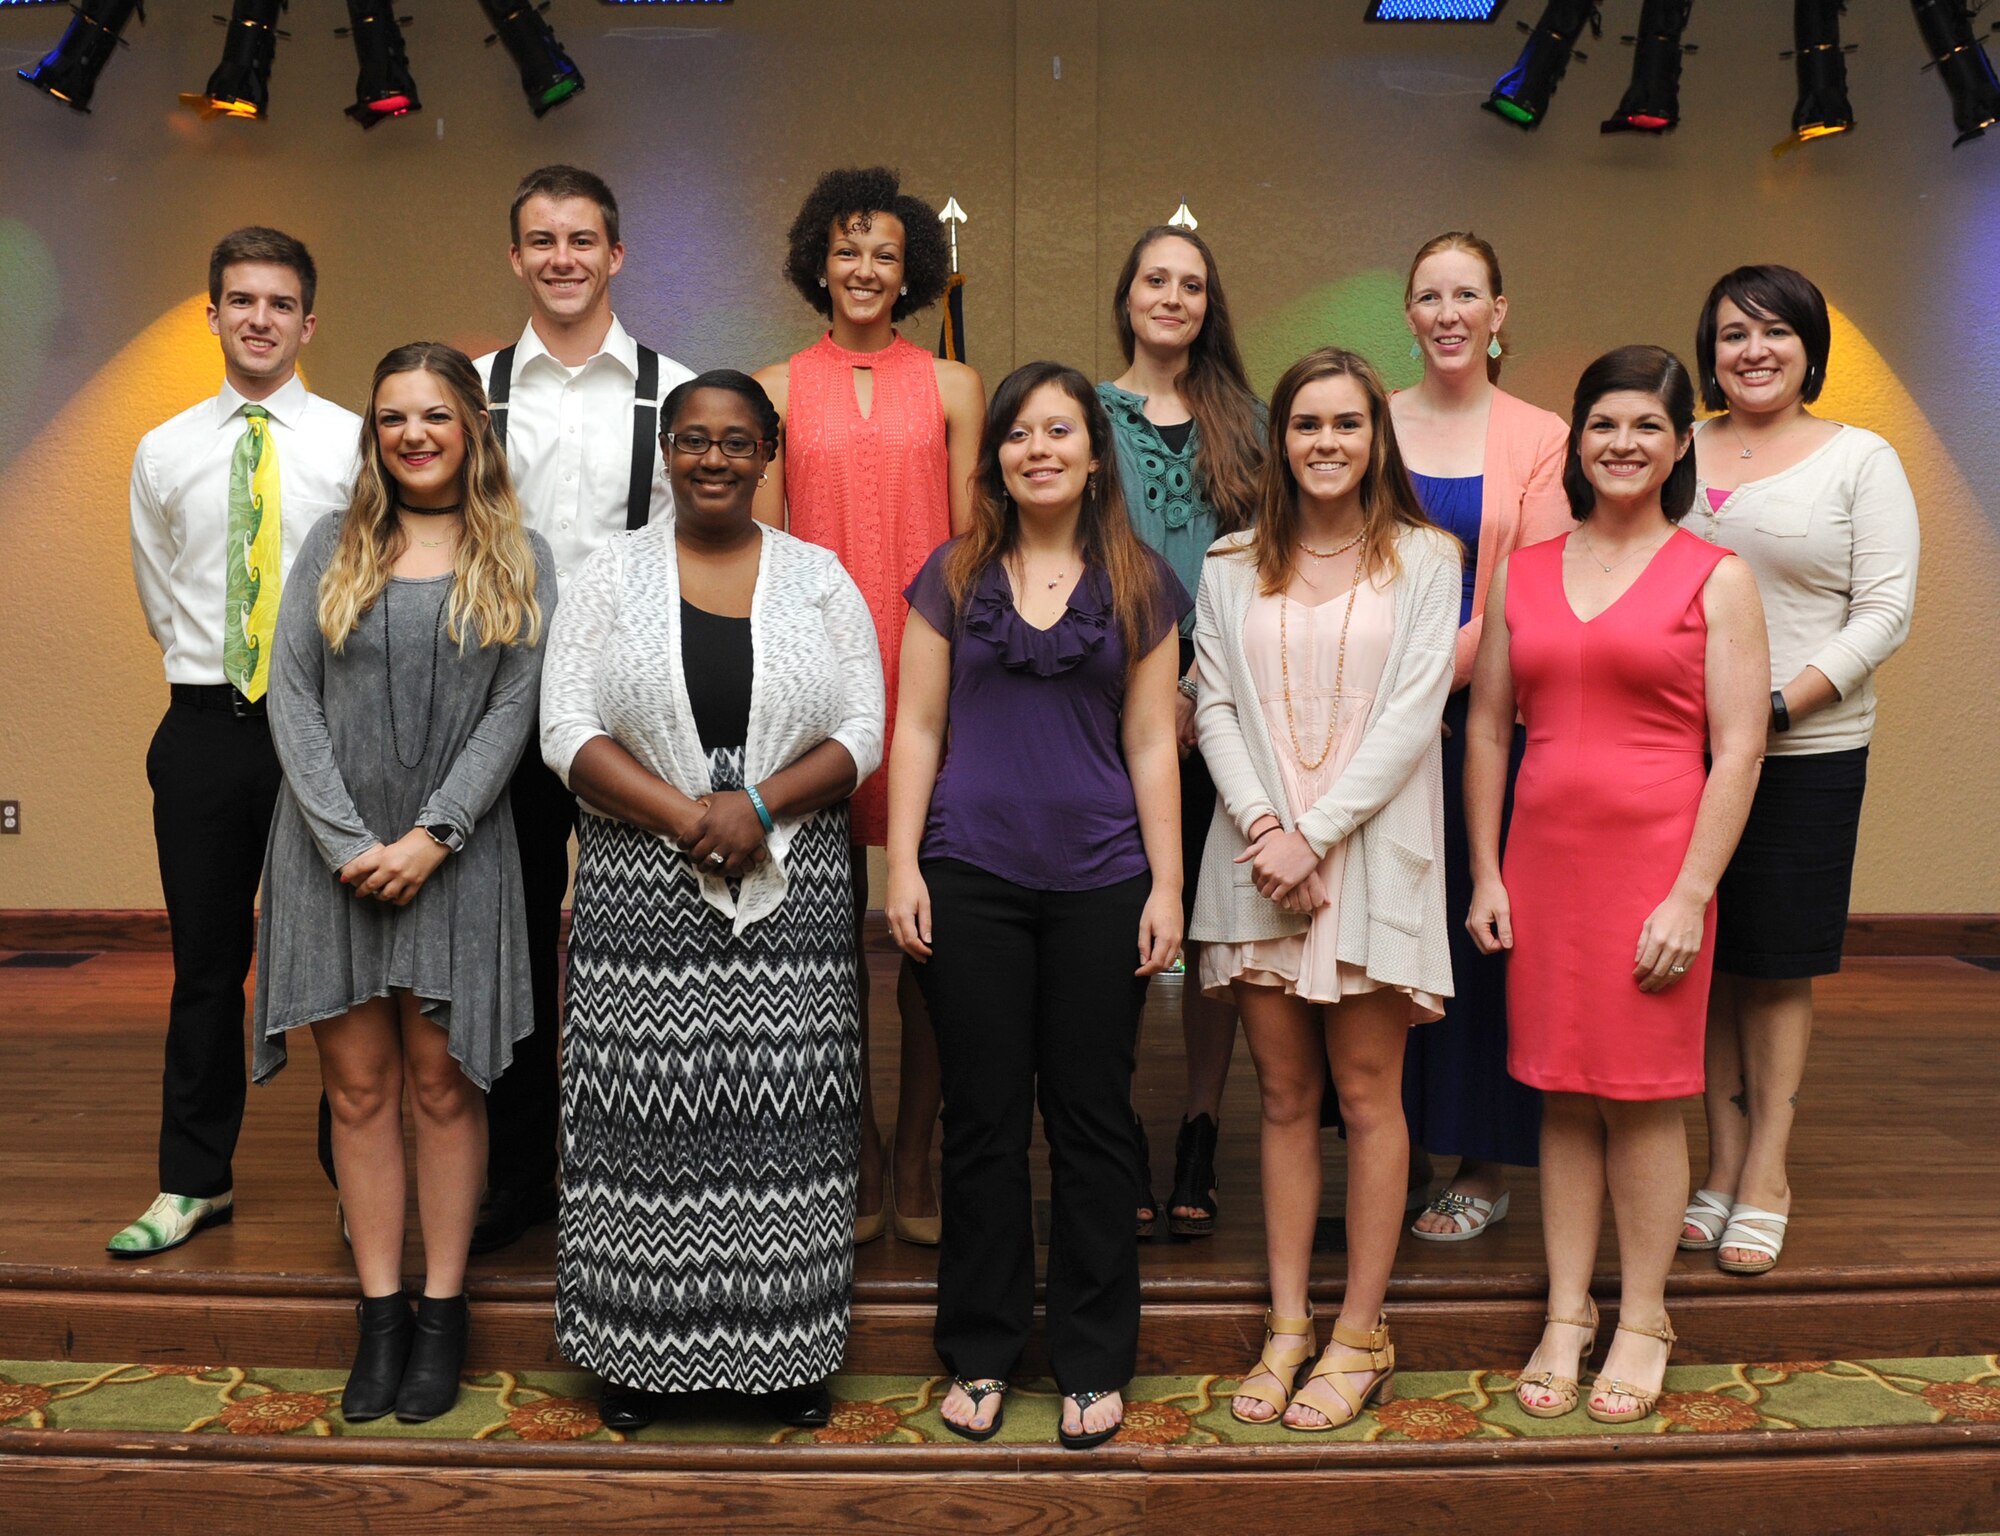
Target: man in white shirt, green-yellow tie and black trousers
x,y
223,499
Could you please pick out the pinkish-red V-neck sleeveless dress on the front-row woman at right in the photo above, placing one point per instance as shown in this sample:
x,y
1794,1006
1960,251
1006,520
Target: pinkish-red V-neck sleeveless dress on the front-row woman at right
x,y
1603,815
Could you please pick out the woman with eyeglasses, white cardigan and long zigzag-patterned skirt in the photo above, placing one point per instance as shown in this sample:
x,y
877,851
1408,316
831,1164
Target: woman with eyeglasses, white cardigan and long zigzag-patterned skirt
x,y
713,699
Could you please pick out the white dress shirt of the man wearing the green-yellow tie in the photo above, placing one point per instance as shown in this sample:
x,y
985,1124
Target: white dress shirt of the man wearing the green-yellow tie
x,y
181,511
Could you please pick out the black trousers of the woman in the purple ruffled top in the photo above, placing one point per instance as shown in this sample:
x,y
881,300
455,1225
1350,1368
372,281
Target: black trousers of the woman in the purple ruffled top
x,y
1035,1003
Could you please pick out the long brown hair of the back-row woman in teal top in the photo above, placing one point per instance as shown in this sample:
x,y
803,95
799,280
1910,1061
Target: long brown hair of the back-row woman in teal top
x,y
1215,387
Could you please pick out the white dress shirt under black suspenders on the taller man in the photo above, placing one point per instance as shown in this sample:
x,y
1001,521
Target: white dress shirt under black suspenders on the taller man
x,y
569,441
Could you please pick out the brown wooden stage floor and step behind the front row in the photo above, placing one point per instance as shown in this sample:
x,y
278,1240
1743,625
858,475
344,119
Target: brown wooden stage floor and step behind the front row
x,y
1893,1245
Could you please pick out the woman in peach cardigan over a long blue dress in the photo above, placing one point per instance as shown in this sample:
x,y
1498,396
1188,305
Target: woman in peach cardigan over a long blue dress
x,y
1489,469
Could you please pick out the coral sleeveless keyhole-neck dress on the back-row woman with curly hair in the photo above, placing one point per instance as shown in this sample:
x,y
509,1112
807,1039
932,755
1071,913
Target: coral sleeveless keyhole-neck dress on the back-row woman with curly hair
x,y
873,491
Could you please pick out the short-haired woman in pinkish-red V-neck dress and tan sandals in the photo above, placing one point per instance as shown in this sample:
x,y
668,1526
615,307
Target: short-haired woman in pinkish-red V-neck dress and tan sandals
x,y
1629,647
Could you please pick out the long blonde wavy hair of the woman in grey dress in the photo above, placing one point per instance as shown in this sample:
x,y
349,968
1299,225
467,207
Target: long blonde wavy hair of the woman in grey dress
x,y
493,573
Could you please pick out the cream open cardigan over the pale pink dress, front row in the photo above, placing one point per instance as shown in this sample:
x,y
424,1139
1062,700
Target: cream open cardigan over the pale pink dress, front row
x,y
1389,799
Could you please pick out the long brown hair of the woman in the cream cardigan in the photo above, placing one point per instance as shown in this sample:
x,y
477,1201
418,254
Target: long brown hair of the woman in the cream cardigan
x,y
1389,499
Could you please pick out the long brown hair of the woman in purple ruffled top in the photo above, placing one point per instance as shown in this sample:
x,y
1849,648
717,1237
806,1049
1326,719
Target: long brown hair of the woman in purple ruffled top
x,y
1103,533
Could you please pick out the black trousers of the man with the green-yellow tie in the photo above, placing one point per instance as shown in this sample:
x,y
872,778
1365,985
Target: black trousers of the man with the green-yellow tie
x,y
215,785
